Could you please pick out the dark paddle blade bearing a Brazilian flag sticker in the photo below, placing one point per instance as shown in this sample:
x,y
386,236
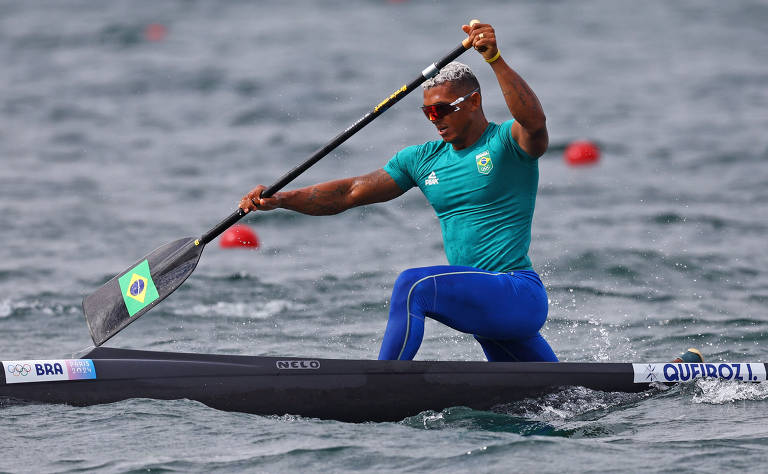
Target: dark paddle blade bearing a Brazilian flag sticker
x,y
127,296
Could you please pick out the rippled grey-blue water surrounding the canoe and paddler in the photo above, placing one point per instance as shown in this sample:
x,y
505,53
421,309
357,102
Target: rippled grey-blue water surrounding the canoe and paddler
x,y
112,144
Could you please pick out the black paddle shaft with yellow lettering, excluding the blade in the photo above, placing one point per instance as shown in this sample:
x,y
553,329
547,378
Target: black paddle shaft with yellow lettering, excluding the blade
x,y
395,97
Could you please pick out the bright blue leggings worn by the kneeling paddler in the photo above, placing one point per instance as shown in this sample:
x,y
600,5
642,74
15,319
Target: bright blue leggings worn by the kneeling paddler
x,y
504,311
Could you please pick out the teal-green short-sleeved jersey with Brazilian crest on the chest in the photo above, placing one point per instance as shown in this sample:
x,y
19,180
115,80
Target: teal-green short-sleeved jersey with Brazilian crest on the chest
x,y
484,196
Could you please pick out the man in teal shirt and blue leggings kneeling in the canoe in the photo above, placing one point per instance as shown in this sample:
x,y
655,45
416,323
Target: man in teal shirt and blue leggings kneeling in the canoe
x,y
481,179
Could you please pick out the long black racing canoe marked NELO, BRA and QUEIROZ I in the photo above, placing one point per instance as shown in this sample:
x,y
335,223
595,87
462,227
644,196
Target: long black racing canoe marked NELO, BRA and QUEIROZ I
x,y
345,390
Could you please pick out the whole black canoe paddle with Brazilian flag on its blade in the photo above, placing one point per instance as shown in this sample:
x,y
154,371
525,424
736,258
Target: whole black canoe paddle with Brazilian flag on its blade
x,y
130,294
